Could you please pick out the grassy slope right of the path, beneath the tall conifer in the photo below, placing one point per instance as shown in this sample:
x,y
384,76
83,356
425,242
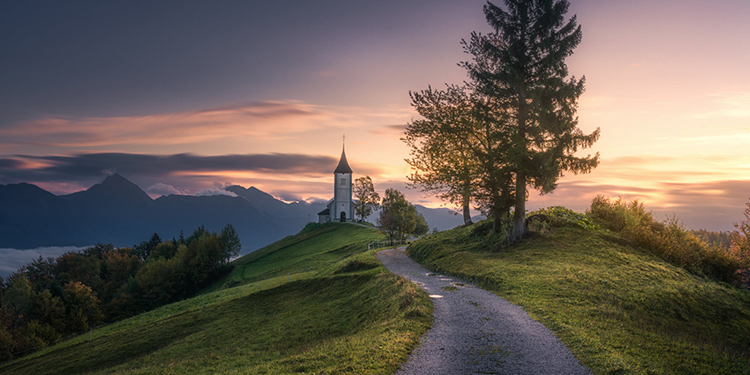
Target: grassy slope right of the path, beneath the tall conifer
x,y
618,309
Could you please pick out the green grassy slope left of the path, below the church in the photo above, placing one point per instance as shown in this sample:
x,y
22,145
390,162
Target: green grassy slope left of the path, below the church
x,y
343,314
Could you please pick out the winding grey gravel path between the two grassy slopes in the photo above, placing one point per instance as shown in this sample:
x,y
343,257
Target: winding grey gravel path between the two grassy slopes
x,y
477,332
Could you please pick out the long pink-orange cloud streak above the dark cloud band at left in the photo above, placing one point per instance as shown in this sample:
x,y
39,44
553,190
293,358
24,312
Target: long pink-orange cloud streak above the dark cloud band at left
x,y
257,119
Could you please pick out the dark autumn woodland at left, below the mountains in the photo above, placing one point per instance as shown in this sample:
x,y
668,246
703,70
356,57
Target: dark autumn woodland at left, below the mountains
x,y
50,298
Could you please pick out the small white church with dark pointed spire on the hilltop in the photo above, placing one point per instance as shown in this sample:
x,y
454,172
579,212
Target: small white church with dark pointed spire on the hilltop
x,y
341,207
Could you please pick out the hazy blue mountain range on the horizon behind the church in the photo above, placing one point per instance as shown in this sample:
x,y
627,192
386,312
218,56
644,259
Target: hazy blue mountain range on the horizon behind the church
x,y
117,211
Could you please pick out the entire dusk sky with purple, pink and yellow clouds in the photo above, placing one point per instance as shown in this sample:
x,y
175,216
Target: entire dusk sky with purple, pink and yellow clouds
x,y
188,97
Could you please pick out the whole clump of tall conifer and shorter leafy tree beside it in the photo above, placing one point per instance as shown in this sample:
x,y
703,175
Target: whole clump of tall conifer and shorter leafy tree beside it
x,y
513,124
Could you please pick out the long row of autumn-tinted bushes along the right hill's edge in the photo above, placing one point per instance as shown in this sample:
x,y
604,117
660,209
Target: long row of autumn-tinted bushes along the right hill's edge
x,y
668,240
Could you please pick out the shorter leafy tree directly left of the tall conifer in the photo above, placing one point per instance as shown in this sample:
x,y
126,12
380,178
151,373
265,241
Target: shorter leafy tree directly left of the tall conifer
x,y
459,150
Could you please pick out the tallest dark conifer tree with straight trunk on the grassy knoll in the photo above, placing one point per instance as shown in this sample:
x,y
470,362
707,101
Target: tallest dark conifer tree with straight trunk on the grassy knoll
x,y
521,65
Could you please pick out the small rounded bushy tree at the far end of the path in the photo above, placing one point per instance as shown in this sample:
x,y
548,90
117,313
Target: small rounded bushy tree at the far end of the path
x,y
398,217
